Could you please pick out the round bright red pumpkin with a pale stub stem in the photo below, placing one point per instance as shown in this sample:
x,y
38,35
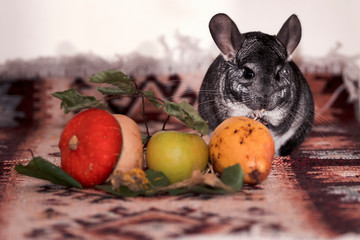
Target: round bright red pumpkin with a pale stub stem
x,y
90,146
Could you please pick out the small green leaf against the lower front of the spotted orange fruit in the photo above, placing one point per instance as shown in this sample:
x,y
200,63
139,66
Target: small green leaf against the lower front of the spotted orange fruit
x,y
233,176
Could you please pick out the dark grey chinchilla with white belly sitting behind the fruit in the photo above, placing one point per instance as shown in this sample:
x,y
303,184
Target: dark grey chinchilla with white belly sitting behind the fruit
x,y
255,77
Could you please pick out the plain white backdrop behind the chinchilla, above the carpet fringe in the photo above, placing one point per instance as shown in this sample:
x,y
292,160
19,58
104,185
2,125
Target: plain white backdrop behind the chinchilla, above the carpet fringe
x,y
37,28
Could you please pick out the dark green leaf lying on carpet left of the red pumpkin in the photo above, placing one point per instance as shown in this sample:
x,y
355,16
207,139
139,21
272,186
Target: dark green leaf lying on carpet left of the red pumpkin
x,y
42,169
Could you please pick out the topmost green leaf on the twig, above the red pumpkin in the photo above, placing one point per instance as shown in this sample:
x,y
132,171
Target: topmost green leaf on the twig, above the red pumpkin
x,y
116,78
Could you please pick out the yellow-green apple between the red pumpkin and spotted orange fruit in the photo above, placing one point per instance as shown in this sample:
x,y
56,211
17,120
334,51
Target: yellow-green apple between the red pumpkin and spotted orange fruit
x,y
176,154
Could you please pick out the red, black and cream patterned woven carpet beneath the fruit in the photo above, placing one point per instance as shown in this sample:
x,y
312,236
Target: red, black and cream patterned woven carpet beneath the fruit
x,y
312,194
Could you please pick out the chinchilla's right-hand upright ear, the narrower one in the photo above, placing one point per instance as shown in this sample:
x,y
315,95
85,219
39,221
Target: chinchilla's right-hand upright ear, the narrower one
x,y
290,34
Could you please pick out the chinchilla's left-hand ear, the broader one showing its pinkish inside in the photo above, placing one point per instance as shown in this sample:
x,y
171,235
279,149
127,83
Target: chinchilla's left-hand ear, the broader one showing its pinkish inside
x,y
226,35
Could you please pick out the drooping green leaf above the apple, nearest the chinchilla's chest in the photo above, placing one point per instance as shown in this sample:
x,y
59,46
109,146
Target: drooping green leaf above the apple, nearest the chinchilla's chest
x,y
187,114
